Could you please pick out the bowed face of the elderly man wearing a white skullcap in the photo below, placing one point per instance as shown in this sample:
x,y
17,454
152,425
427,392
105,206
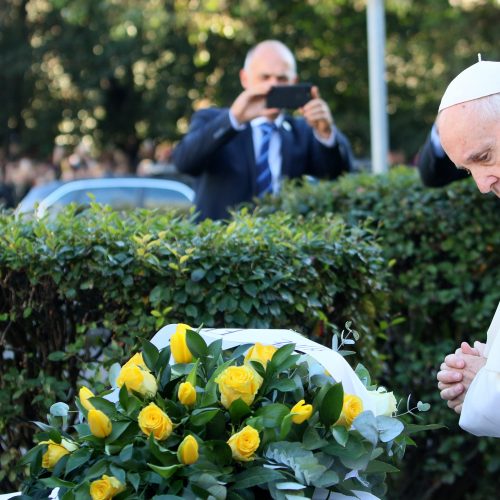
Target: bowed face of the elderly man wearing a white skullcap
x,y
473,143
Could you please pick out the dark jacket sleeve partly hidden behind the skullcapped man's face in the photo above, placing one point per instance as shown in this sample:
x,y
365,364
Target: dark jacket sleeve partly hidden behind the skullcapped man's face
x,y
437,171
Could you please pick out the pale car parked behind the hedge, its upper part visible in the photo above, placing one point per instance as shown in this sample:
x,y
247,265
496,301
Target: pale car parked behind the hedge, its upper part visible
x,y
121,193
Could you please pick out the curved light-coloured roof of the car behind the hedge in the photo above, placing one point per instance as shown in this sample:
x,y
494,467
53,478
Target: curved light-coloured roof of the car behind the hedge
x,y
46,194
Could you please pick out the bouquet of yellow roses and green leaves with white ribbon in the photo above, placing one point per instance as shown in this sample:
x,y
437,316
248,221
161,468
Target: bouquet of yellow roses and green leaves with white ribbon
x,y
198,419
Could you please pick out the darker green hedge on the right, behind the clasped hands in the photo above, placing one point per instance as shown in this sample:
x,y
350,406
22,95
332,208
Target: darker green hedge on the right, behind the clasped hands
x,y
444,249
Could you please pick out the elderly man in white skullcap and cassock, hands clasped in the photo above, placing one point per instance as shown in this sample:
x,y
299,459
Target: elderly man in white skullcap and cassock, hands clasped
x,y
469,128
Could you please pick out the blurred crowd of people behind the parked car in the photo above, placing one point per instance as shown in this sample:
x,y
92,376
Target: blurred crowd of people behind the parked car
x,y
19,173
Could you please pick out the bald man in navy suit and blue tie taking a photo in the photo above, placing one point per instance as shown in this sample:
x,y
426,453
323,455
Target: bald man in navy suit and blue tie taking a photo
x,y
224,146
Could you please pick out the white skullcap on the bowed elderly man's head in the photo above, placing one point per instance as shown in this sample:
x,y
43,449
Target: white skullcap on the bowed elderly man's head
x,y
479,80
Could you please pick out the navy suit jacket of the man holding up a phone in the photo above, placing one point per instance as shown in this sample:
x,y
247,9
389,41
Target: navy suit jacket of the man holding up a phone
x,y
223,159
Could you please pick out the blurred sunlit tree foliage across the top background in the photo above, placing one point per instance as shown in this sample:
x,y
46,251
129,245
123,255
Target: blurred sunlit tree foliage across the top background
x,y
115,72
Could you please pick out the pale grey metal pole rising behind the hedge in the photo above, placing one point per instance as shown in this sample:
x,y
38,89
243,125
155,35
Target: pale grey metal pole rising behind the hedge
x,y
378,88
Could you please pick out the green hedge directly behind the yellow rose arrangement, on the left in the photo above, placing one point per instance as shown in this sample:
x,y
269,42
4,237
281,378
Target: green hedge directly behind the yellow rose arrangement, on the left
x,y
86,285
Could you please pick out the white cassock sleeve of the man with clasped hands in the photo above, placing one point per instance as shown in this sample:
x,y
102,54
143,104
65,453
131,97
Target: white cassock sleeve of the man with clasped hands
x,y
481,409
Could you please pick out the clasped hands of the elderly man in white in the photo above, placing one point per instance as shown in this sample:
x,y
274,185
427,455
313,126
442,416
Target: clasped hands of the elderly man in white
x,y
458,371
